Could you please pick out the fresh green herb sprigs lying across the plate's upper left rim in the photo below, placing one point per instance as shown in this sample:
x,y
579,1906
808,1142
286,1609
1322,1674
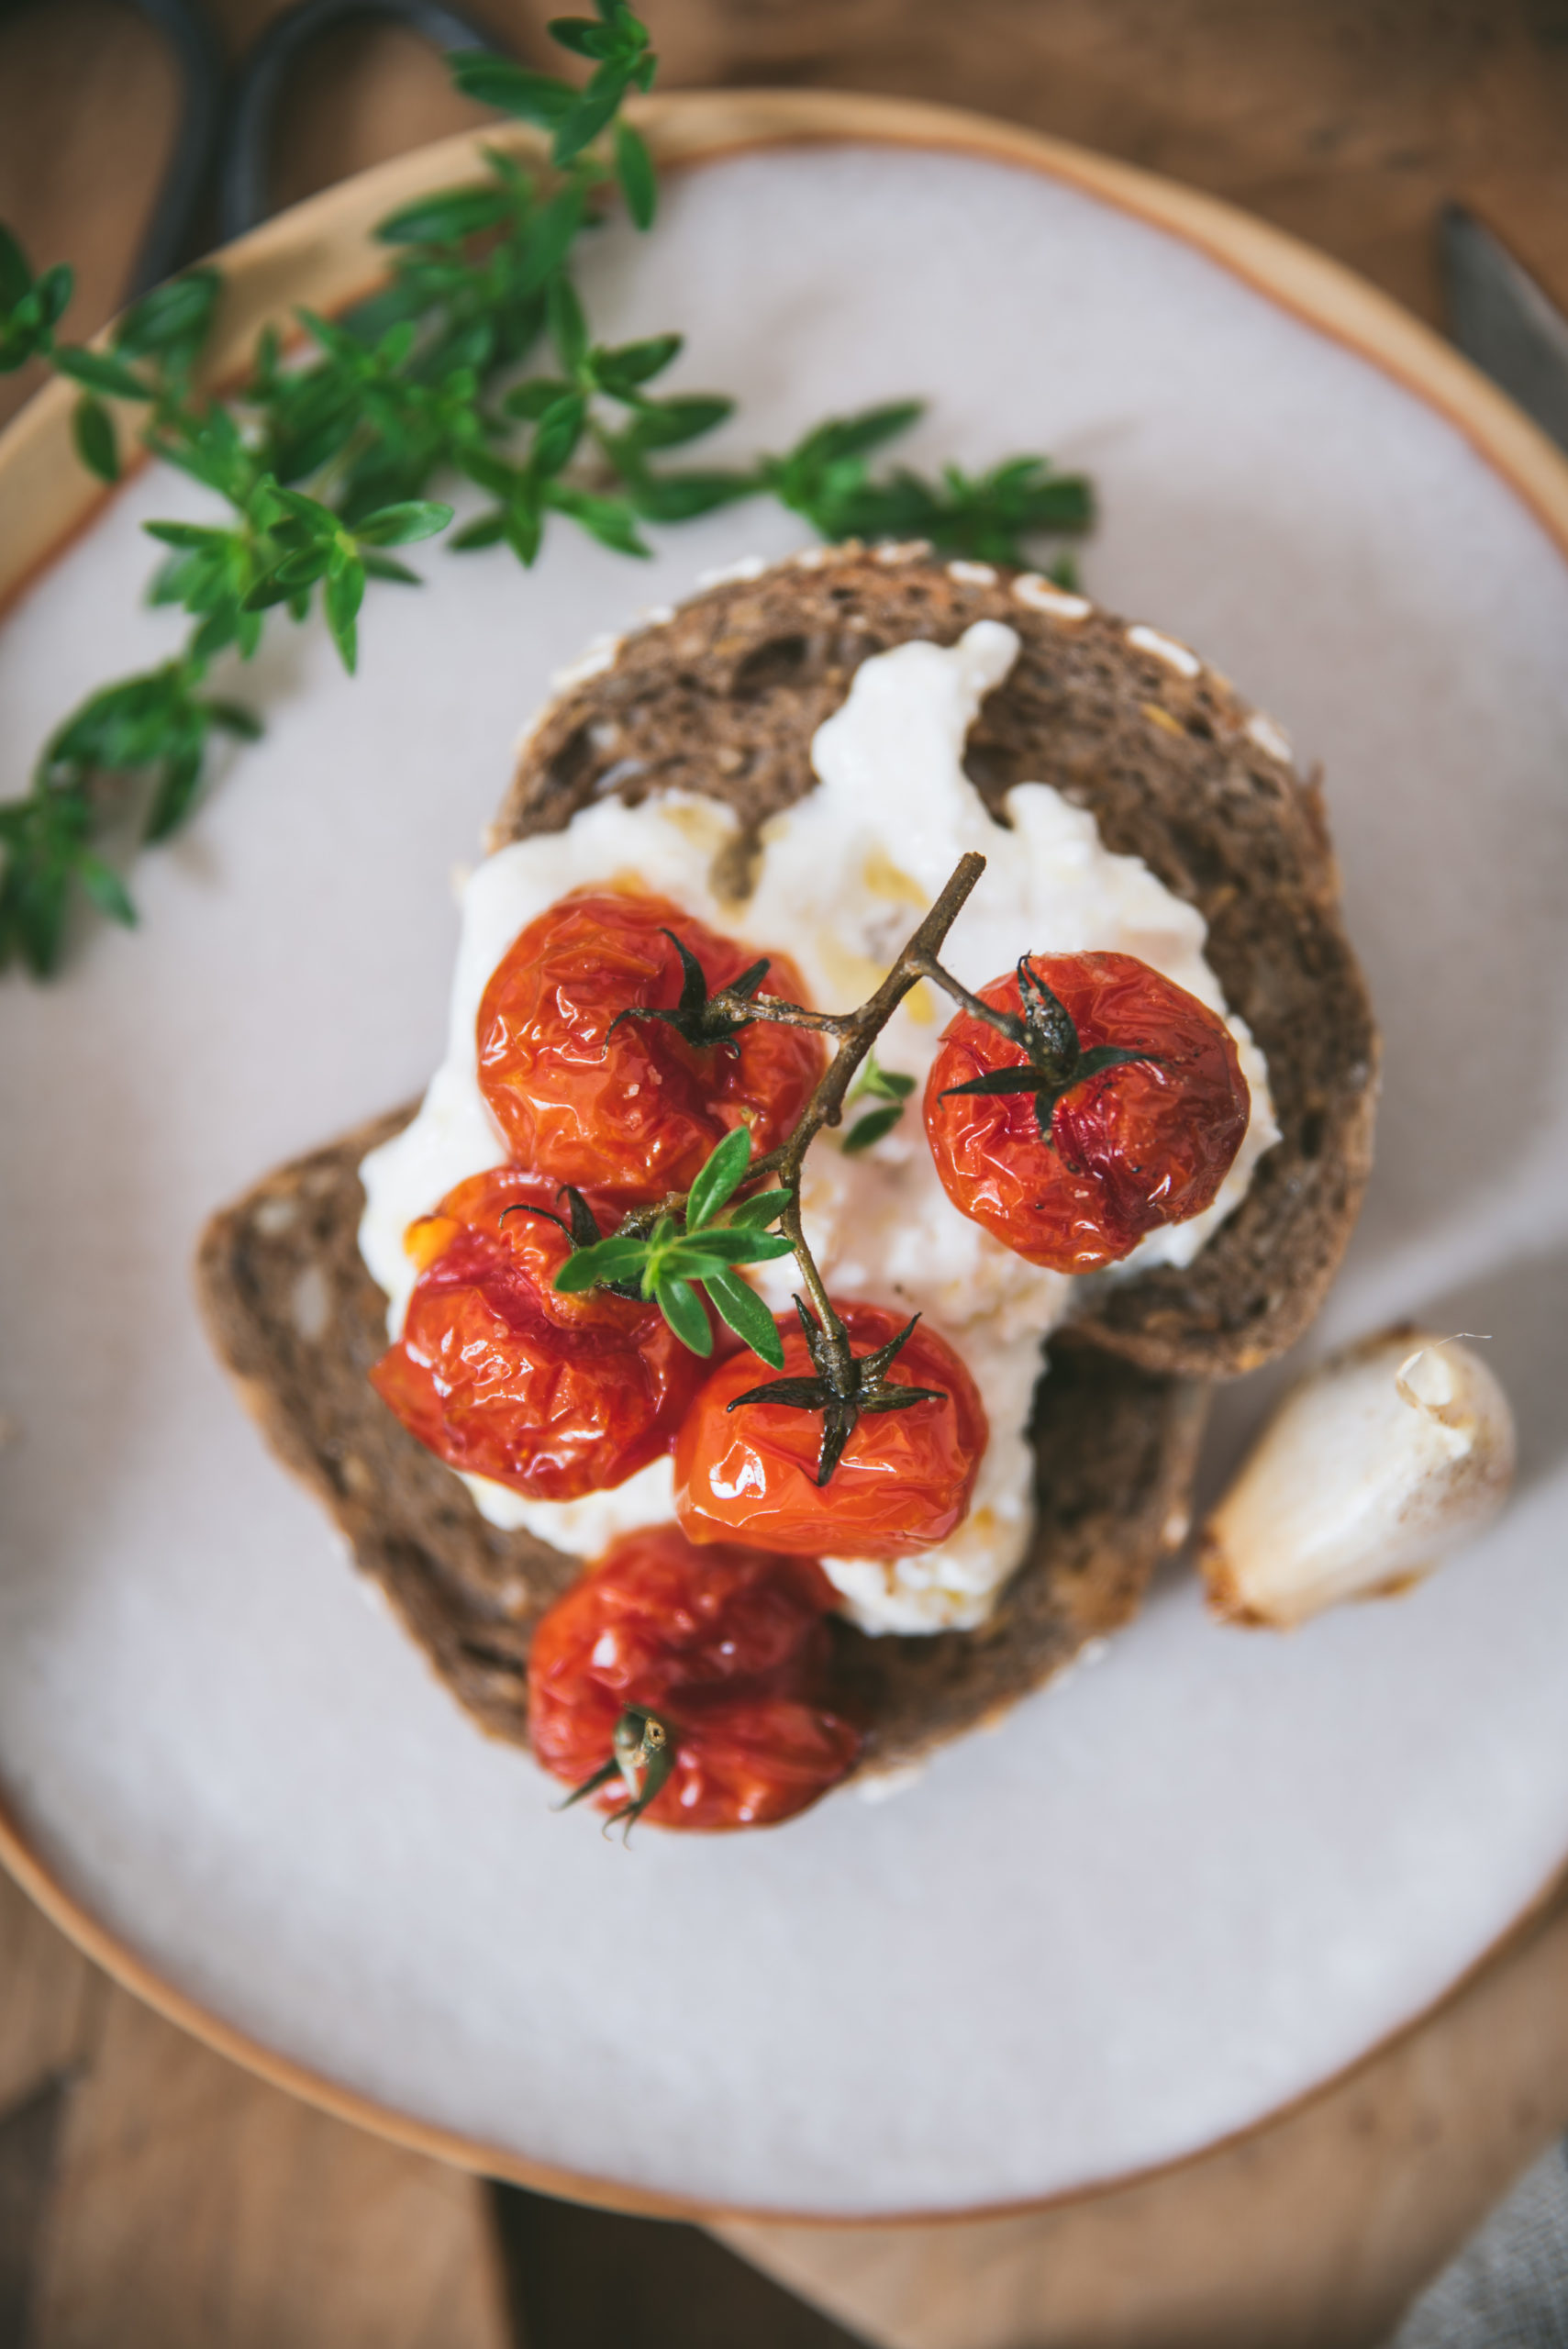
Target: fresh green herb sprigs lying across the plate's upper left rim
x,y
475,361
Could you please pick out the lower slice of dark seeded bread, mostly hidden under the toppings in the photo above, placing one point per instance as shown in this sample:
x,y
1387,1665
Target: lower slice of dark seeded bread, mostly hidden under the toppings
x,y
297,1321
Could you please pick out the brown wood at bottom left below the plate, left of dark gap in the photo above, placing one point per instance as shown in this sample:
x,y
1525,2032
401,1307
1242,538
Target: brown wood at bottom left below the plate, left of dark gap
x,y
154,2195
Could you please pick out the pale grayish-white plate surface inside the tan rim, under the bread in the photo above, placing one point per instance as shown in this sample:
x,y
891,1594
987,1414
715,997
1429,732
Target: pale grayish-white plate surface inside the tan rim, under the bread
x,y
1163,1899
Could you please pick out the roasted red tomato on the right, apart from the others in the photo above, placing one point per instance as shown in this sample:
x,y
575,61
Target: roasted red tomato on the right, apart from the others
x,y
1135,1147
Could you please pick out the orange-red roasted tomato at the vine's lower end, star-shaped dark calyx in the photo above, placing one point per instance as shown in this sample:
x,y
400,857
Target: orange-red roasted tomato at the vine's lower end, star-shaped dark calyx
x,y
903,1483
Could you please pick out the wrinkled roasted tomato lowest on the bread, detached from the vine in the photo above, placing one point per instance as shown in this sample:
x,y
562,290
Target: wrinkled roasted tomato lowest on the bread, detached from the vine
x,y
729,1648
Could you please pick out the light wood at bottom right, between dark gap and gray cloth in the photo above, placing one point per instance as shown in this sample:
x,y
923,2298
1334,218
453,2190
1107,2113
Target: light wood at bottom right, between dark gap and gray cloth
x,y
1316,2230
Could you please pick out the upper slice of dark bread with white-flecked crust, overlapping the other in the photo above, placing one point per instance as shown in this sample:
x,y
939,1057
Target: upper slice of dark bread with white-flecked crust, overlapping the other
x,y
724,699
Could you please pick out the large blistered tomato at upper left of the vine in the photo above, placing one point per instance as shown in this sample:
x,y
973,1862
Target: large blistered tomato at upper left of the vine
x,y
633,1110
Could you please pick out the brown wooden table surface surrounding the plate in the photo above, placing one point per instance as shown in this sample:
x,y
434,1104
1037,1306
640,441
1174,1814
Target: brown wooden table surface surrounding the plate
x,y
149,2193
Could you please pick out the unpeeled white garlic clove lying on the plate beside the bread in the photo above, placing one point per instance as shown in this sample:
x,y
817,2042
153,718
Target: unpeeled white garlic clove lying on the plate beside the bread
x,y
1377,1465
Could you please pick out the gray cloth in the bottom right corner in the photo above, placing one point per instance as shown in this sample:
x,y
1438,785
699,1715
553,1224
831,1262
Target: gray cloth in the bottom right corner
x,y
1510,2284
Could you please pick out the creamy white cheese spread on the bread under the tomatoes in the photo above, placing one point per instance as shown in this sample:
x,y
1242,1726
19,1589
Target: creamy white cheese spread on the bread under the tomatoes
x,y
844,880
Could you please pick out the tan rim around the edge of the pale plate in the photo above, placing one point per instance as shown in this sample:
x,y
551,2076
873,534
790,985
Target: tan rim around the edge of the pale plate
x,y
320,255
